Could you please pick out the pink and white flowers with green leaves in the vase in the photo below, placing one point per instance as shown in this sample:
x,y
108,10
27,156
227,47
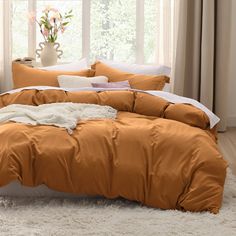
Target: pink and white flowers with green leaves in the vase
x,y
52,22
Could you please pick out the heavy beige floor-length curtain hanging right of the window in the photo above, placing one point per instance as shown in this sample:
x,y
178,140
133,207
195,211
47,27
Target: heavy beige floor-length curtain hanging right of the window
x,y
202,54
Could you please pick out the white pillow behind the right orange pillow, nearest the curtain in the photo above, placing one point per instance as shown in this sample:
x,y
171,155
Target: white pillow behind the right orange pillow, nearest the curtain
x,y
139,69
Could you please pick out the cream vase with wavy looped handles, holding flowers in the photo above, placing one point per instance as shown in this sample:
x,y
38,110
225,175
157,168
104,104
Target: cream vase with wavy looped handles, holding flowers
x,y
48,53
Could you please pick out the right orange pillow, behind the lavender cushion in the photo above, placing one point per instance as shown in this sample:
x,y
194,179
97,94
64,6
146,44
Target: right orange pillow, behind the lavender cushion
x,y
143,82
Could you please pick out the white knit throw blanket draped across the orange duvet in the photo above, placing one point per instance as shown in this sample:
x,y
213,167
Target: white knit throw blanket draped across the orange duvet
x,y
65,115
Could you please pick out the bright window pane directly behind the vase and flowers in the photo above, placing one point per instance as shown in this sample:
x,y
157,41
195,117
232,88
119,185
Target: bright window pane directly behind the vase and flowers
x,y
71,40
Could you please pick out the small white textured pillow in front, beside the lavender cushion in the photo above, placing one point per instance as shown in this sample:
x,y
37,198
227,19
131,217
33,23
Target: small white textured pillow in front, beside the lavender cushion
x,y
71,81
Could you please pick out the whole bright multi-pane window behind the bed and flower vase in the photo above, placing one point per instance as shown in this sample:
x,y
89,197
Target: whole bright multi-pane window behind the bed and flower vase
x,y
138,31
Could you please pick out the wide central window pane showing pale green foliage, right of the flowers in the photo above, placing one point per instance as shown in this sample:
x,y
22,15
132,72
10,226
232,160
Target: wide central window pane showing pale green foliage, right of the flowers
x,y
113,30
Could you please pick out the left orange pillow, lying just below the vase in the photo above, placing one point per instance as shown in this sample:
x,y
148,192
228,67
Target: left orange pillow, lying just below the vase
x,y
24,76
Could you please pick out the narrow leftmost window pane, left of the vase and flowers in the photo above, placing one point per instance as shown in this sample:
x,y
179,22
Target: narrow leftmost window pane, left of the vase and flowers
x,y
19,28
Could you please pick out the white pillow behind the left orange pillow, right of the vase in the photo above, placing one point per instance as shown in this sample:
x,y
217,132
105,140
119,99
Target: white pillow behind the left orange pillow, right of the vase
x,y
74,66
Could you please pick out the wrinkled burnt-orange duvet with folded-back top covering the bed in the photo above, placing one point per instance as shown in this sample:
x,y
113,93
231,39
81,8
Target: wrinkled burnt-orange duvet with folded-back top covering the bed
x,y
162,155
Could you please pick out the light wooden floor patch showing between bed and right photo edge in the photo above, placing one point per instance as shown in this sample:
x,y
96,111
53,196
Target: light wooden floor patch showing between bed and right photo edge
x,y
227,144
